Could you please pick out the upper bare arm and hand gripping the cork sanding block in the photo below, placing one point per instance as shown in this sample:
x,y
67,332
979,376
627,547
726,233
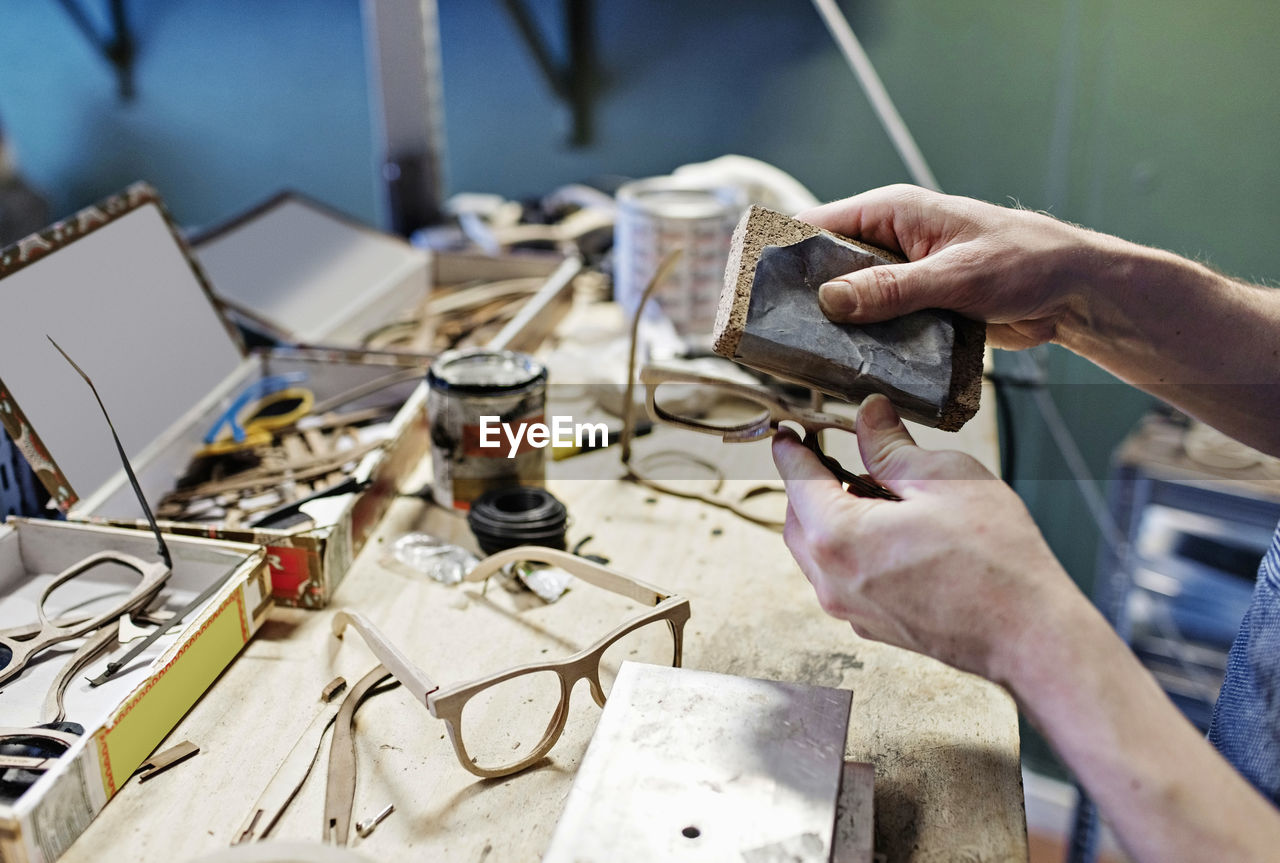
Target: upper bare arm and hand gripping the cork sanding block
x,y
1199,340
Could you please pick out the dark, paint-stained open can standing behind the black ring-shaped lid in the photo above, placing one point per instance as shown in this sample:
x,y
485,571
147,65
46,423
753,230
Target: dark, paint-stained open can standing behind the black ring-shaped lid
x,y
464,389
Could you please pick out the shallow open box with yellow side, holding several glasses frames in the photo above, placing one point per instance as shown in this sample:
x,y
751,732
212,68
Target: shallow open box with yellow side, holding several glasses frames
x,y
126,718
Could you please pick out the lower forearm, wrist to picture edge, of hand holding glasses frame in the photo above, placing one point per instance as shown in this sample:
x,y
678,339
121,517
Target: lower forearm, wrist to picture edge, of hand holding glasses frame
x,y
1165,792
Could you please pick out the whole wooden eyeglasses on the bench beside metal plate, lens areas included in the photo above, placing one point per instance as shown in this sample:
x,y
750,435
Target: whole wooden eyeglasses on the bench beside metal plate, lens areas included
x,y
508,722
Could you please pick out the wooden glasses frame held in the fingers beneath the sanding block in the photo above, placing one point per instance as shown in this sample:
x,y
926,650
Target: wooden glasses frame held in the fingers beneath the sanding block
x,y
774,412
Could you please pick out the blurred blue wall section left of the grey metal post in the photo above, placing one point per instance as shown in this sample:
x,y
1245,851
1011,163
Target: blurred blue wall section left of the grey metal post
x,y
236,99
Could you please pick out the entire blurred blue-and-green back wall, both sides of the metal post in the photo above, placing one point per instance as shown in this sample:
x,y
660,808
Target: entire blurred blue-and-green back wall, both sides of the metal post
x,y
1155,120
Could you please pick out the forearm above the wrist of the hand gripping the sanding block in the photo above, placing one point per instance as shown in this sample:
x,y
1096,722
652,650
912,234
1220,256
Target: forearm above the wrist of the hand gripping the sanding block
x,y
1206,344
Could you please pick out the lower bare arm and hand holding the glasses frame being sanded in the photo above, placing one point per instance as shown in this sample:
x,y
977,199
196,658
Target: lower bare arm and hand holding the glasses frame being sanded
x,y
959,572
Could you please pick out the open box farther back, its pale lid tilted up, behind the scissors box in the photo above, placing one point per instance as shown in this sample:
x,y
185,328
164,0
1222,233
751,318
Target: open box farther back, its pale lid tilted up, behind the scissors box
x,y
303,275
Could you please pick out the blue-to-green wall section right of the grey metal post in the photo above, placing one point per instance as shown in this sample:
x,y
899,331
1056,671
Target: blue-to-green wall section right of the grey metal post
x,y
1154,121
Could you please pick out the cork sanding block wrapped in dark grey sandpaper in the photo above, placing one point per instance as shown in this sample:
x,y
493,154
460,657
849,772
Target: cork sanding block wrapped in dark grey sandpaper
x,y
929,363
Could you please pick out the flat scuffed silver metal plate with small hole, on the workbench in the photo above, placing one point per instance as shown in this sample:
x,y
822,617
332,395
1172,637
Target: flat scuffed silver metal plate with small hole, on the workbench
x,y
700,766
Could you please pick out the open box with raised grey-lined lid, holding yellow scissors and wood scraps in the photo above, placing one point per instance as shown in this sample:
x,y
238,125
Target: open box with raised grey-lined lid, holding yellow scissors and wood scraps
x,y
117,289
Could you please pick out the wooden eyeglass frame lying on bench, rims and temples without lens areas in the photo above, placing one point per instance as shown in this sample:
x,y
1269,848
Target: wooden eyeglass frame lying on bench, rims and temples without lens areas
x,y
447,704
